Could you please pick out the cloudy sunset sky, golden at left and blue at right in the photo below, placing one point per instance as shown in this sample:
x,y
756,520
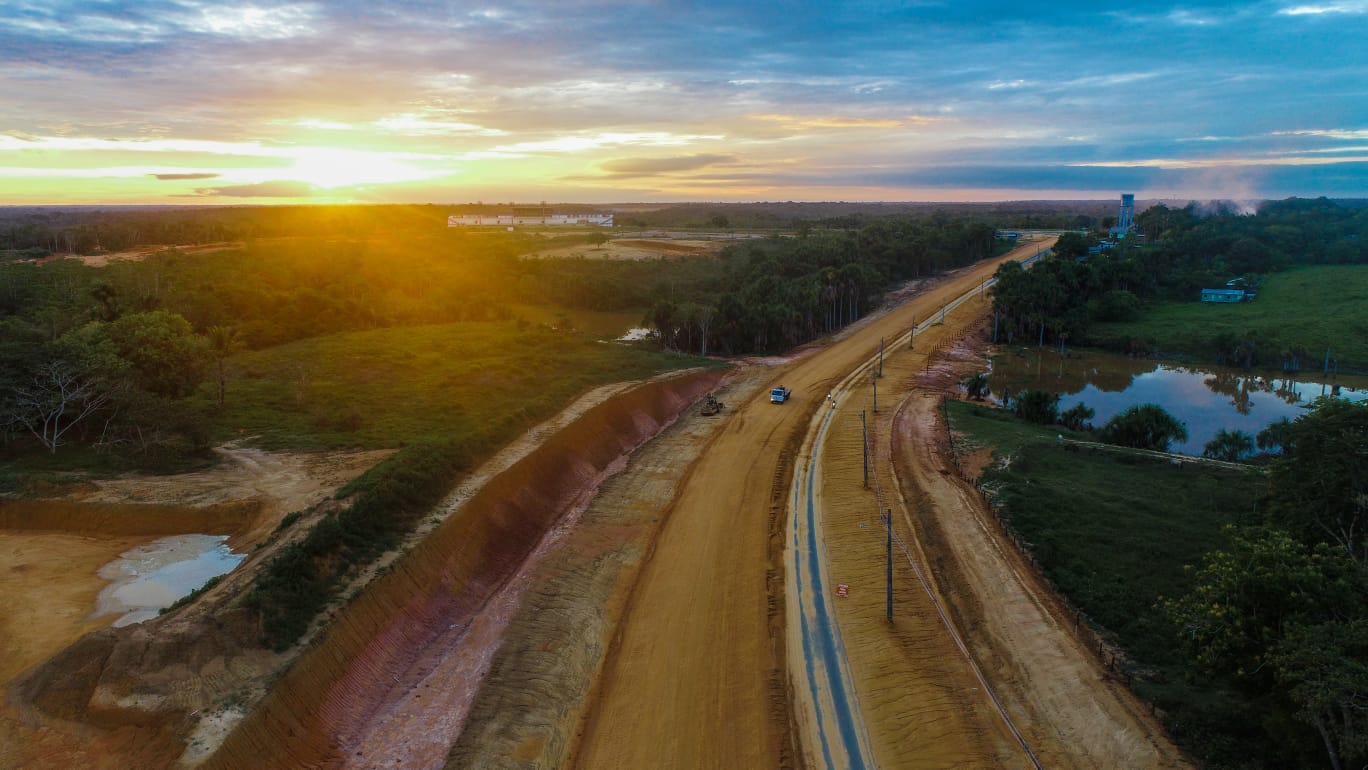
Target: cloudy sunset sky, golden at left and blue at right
x,y
220,102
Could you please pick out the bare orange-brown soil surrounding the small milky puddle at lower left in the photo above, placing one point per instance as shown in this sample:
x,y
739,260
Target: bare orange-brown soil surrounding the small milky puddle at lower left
x,y
50,555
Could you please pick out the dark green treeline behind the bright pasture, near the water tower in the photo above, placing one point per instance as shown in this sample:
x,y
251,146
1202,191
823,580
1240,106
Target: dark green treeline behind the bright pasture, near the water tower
x,y
1184,252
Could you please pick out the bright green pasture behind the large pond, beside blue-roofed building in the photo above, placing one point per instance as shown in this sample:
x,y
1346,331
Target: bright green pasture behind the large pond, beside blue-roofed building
x,y
1311,307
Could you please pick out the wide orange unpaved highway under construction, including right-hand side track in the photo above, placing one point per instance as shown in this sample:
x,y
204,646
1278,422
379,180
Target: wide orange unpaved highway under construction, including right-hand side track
x,y
690,680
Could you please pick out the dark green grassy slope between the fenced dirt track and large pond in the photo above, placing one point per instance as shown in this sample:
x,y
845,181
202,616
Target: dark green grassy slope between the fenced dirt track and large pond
x,y
1114,533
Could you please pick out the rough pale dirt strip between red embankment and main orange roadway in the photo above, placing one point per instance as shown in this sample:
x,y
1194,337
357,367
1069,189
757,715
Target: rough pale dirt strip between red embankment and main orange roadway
x,y
527,713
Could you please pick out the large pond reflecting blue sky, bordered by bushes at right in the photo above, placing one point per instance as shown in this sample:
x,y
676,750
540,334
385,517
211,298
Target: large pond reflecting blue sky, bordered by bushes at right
x,y
1205,399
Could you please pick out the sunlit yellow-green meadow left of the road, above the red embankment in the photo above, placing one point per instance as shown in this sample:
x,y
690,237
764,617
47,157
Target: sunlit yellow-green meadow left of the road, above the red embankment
x,y
395,386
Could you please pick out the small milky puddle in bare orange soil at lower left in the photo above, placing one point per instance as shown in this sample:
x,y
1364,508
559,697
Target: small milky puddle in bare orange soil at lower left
x,y
151,578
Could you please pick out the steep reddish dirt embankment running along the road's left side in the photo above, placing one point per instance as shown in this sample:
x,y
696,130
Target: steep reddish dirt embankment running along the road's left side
x,y
337,687
